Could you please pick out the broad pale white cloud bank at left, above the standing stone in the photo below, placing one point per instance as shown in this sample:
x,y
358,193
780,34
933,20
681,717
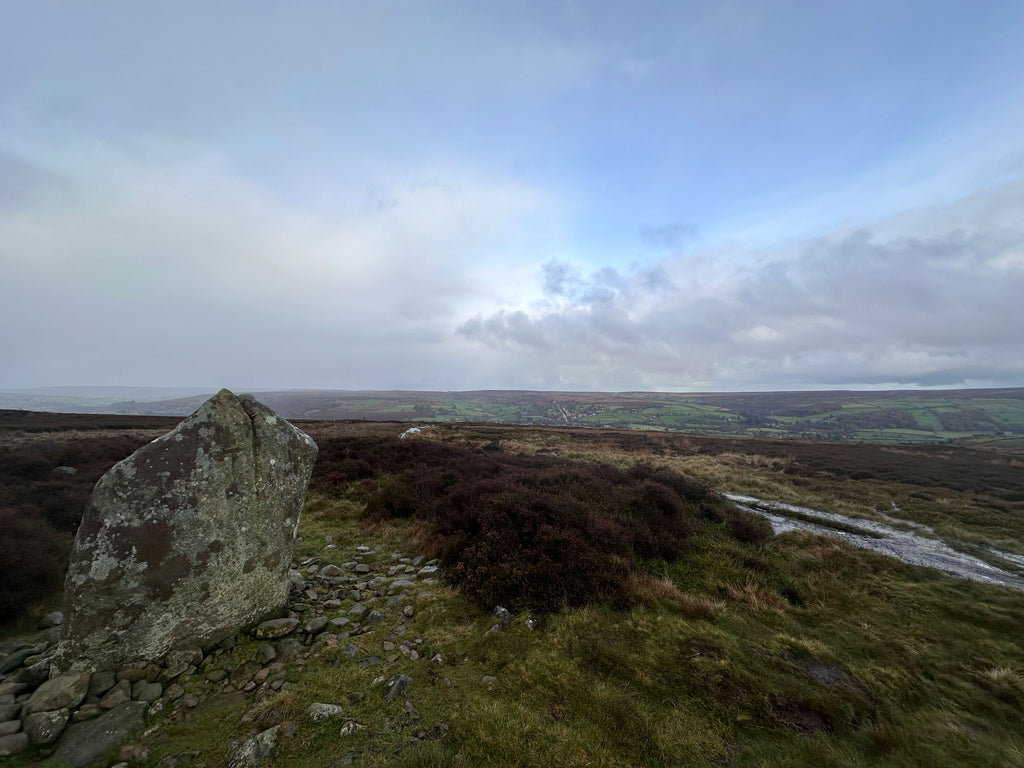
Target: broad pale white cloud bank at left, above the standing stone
x,y
168,268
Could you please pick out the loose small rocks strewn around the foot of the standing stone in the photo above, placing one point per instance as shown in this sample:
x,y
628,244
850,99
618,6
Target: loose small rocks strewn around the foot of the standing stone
x,y
358,610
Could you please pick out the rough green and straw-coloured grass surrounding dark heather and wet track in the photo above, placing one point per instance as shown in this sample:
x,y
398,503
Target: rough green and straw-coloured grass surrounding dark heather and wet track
x,y
797,652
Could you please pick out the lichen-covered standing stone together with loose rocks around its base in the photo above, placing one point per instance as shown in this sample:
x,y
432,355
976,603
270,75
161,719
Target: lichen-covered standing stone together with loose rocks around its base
x,y
184,544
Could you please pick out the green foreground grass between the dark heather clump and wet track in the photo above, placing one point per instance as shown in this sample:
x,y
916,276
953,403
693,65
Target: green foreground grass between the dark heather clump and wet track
x,y
803,654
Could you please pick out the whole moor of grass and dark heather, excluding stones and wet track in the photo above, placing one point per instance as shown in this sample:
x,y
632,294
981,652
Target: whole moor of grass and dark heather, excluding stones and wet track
x,y
665,627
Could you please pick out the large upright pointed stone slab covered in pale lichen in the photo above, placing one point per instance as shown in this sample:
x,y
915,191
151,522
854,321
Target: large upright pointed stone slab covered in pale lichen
x,y
189,539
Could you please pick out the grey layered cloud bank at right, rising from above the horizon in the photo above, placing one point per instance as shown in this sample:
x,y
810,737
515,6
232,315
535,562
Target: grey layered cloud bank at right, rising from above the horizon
x,y
855,309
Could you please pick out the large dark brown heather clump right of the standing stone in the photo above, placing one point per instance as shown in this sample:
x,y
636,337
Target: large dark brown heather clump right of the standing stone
x,y
532,532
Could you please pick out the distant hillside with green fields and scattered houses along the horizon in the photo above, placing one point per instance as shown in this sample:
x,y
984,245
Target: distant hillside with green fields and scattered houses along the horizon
x,y
900,416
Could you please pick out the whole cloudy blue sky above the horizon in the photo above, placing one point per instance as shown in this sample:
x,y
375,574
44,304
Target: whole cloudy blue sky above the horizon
x,y
560,195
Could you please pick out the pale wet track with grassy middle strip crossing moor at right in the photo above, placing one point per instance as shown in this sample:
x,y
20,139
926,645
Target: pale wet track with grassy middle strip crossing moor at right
x,y
907,546
